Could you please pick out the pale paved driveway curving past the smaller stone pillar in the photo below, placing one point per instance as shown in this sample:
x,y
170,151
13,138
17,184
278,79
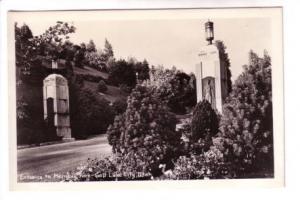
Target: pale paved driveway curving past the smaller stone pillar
x,y
60,158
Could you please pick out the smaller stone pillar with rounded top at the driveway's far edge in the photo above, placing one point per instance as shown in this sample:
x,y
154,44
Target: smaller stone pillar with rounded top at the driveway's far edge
x,y
56,104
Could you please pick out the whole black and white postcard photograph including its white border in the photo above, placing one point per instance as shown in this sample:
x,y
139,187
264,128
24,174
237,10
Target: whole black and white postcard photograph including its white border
x,y
146,95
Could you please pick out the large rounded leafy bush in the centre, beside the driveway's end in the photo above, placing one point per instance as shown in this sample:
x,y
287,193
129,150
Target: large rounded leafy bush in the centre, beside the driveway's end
x,y
145,133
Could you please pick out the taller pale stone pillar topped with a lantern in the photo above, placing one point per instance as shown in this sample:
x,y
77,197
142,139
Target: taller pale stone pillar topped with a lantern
x,y
211,73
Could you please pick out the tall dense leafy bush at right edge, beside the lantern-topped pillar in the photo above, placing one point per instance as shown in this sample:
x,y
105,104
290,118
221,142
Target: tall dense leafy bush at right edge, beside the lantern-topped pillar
x,y
246,128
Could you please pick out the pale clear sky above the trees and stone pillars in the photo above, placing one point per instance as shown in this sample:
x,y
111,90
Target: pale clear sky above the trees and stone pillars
x,y
168,42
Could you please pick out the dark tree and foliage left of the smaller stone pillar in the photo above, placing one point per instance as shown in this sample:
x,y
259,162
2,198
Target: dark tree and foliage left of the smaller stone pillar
x,y
31,52
